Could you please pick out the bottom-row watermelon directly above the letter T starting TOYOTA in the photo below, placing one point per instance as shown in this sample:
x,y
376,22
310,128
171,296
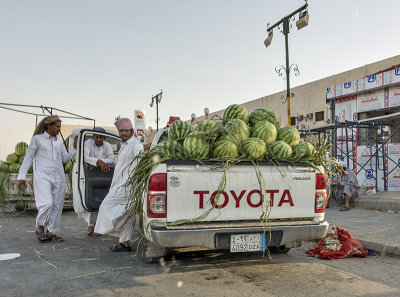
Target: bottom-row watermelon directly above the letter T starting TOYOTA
x,y
196,146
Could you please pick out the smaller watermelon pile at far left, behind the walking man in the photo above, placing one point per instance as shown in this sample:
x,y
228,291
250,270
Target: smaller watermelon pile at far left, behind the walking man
x,y
14,160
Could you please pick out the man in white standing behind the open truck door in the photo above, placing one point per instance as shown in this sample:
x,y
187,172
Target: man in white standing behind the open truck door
x,y
97,153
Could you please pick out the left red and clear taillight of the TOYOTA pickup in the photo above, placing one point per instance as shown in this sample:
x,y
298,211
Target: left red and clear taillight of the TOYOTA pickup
x,y
157,196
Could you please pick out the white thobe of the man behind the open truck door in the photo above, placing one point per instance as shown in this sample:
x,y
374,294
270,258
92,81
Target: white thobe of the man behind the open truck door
x,y
93,153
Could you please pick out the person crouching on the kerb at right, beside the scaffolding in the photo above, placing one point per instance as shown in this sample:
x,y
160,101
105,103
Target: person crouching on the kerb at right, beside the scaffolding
x,y
344,186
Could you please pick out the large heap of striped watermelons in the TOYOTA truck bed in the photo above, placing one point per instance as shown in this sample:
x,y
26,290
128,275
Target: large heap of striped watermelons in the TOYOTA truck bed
x,y
238,135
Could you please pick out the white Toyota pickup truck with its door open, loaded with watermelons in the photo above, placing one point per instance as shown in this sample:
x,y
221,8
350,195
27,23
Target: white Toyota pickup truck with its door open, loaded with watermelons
x,y
178,212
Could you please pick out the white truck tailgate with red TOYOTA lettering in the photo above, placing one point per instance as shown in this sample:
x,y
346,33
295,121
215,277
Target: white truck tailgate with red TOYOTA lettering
x,y
290,191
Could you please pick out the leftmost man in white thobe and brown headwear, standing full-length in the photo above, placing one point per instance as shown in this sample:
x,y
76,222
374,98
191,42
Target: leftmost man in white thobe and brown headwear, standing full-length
x,y
47,153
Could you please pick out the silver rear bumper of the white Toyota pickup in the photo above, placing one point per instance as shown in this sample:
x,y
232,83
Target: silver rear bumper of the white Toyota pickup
x,y
209,237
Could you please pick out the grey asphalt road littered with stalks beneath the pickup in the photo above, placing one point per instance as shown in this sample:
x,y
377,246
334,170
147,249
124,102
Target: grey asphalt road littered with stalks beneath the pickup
x,y
84,266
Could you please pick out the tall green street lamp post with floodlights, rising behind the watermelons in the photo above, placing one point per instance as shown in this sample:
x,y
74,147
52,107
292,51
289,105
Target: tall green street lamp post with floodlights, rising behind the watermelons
x,y
302,22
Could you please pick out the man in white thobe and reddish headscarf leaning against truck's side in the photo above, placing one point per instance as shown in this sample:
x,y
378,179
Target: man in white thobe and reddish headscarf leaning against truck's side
x,y
113,218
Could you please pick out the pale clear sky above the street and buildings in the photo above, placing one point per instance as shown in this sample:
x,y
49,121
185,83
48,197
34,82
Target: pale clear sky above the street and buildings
x,y
103,59
